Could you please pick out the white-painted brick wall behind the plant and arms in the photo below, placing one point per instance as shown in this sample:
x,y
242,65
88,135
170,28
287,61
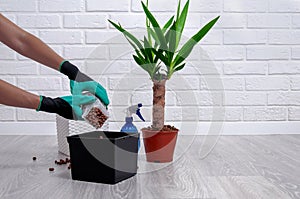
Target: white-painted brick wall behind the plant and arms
x,y
255,48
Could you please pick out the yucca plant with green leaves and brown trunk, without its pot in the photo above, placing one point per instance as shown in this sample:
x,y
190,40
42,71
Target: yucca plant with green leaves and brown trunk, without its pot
x,y
158,54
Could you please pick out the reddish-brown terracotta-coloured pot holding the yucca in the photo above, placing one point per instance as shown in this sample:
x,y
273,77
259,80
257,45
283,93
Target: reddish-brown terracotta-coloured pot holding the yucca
x,y
159,145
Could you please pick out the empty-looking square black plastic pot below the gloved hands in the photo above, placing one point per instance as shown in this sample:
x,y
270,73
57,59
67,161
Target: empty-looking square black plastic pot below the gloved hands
x,y
103,157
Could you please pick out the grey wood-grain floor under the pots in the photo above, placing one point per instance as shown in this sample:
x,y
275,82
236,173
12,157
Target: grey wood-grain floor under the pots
x,y
238,167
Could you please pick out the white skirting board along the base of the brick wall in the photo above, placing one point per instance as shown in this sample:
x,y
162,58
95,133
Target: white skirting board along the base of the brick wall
x,y
187,128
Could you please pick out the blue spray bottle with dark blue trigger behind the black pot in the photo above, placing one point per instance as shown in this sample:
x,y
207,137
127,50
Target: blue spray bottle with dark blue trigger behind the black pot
x,y
128,126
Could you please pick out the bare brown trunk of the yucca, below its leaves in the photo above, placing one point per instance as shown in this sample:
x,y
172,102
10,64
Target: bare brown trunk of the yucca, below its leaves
x,y
158,109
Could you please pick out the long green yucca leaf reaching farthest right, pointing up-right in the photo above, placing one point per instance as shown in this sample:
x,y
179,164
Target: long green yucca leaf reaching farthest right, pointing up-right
x,y
187,48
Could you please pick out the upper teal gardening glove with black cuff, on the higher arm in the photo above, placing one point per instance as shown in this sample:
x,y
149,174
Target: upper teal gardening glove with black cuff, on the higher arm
x,y
80,82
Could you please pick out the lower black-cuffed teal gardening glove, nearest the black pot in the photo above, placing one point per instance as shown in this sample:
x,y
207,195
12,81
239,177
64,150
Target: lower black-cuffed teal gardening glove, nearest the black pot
x,y
67,106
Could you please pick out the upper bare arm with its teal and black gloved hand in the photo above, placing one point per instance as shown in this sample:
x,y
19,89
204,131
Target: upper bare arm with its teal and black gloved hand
x,y
35,49
